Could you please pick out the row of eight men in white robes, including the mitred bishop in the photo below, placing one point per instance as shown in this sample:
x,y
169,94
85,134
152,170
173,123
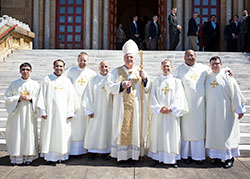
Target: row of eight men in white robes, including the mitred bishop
x,y
187,113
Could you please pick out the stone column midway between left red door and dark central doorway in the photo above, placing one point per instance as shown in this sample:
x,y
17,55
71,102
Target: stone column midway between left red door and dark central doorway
x,y
95,27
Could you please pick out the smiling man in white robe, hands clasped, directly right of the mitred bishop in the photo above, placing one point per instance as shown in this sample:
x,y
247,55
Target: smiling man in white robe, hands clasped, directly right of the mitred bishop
x,y
168,102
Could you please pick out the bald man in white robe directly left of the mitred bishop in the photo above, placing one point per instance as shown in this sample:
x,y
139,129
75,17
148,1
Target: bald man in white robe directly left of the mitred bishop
x,y
98,107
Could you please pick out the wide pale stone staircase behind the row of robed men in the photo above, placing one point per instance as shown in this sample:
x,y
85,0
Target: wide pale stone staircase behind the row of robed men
x,y
42,60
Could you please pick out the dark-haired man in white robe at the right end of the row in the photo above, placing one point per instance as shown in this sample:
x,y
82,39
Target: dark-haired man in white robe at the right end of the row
x,y
224,101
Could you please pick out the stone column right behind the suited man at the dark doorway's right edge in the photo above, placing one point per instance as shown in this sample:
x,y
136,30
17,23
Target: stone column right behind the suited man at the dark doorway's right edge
x,y
179,17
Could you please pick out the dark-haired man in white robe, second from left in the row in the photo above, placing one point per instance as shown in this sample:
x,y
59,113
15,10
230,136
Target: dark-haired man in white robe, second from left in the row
x,y
57,107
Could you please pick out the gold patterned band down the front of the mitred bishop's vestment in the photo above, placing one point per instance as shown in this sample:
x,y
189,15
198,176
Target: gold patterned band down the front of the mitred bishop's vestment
x,y
128,102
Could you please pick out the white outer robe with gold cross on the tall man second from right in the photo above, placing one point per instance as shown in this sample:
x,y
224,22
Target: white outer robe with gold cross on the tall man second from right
x,y
193,79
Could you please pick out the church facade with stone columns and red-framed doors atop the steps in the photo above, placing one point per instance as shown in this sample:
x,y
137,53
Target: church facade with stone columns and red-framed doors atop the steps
x,y
92,24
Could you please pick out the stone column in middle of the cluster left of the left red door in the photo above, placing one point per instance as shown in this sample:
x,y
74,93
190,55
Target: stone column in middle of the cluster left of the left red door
x,y
47,24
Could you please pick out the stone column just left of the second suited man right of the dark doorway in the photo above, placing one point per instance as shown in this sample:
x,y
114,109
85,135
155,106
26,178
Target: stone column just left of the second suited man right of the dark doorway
x,y
187,16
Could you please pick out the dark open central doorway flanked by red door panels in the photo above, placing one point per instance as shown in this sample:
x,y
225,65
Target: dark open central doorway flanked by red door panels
x,y
121,12
